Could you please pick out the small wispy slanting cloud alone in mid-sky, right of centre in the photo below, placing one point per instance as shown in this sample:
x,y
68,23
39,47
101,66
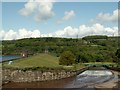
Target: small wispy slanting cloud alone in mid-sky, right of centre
x,y
67,16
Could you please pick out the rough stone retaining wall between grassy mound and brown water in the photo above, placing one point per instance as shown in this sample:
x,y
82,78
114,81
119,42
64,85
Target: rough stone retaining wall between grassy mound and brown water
x,y
9,75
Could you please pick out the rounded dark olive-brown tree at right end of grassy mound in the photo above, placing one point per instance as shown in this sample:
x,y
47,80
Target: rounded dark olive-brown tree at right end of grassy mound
x,y
67,58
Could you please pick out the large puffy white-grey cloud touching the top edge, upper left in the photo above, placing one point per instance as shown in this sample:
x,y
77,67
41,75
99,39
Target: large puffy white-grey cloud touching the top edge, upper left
x,y
42,11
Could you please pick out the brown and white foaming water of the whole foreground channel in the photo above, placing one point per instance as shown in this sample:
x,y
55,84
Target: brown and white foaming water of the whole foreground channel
x,y
87,79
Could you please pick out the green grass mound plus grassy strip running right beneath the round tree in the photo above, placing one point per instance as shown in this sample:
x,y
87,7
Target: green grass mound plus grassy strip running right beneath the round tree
x,y
46,60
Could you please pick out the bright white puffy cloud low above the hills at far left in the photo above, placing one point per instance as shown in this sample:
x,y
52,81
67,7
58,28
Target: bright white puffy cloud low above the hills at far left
x,y
21,33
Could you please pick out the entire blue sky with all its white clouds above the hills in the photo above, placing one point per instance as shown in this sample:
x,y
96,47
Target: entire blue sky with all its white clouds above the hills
x,y
58,19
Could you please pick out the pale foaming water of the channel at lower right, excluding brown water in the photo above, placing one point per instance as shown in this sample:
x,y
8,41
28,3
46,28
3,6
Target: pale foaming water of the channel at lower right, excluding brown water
x,y
90,78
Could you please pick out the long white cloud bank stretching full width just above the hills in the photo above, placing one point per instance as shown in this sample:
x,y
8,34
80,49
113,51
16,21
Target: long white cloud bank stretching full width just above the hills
x,y
67,32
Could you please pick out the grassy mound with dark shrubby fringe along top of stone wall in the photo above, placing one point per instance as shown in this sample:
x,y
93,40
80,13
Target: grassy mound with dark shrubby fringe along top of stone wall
x,y
41,62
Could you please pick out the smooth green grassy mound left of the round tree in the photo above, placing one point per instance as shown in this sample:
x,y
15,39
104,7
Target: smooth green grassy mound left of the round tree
x,y
40,60
